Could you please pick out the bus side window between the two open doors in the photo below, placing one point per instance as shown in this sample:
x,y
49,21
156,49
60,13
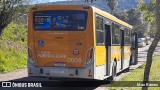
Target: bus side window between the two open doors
x,y
115,34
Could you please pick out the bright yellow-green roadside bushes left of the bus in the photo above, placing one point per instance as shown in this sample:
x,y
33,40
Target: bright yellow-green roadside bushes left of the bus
x,y
13,47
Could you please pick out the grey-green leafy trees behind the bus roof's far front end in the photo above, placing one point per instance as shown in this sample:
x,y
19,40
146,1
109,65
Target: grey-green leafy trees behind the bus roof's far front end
x,y
134,17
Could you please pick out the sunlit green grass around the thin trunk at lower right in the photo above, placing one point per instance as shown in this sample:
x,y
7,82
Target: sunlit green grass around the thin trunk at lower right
x,y
137,75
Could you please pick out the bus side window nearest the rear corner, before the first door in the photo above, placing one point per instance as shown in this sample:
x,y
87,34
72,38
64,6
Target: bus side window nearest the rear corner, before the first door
x,y
99,31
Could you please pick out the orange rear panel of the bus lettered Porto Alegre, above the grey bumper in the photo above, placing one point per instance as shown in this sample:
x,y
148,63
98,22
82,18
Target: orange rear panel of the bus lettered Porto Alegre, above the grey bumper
x,y
59,45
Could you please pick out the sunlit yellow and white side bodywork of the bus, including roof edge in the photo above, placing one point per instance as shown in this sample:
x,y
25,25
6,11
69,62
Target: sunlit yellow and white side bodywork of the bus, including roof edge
x,y
115,53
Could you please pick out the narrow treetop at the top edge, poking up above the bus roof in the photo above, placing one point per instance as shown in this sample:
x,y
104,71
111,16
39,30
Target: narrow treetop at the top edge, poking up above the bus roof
x,y
112,5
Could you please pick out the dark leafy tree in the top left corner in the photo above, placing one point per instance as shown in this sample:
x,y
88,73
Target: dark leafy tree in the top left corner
x,y
11,9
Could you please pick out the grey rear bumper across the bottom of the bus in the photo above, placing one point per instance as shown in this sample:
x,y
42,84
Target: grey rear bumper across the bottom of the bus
x,y
60,72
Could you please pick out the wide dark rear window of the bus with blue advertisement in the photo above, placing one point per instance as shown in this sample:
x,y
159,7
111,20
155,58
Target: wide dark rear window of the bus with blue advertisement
x,y
61,20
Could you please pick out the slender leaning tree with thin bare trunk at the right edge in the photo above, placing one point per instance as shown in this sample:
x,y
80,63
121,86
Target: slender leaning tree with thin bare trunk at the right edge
x,y
153,10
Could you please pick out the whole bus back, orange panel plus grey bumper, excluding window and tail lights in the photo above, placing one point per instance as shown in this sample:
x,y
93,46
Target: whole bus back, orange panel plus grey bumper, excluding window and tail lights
x,y
58,47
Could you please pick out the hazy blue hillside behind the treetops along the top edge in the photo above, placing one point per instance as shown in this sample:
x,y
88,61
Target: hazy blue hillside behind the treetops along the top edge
x,y
102,4
